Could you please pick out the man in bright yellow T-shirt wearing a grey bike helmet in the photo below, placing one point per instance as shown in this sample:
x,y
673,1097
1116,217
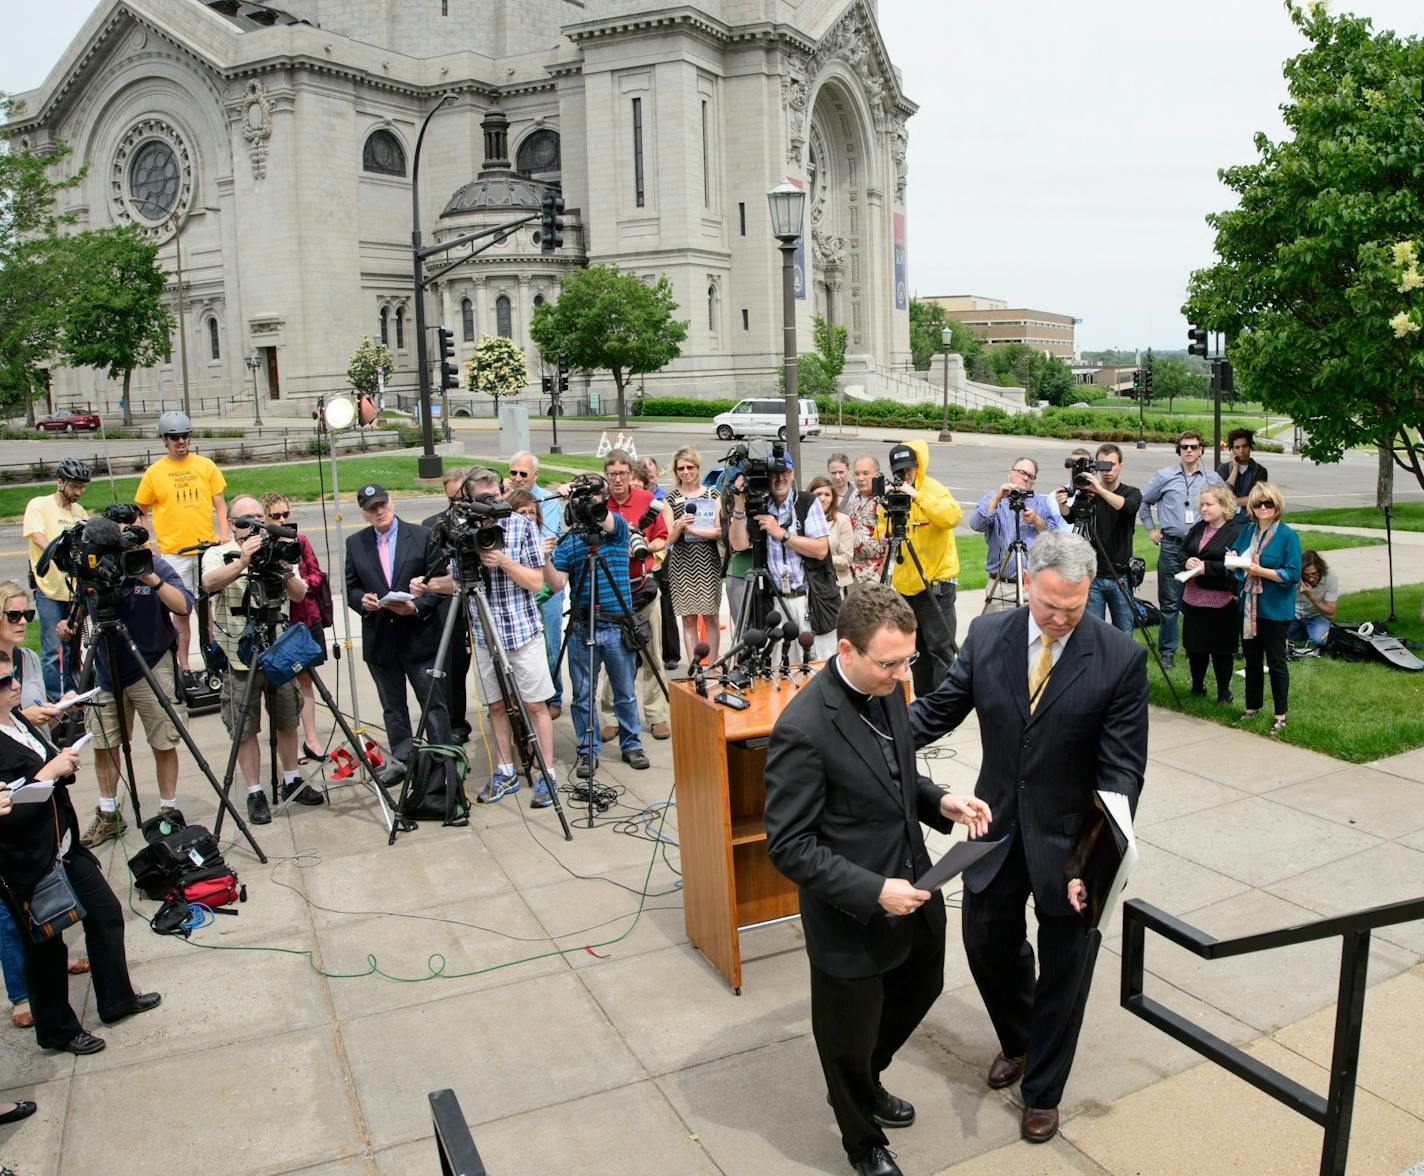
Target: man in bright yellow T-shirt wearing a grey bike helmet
x,y
180,495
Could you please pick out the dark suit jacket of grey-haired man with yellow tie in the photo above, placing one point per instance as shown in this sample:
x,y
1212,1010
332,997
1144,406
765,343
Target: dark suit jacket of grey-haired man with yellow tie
x,y
1040,771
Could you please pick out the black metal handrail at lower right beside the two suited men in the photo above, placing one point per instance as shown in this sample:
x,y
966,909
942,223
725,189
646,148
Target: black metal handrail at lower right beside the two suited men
x,y
1334,1111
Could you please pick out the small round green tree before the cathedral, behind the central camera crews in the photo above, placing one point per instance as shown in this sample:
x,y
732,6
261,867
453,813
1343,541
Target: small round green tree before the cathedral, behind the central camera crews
x,y
606,318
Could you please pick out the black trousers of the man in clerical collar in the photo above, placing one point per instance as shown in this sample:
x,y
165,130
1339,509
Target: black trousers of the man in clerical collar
x,y
859,1026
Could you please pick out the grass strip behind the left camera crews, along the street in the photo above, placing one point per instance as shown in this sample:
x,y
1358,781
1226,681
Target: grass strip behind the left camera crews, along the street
x,y
303,482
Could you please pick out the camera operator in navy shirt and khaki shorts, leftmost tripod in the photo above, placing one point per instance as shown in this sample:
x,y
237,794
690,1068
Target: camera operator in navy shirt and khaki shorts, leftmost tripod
x,y
147,606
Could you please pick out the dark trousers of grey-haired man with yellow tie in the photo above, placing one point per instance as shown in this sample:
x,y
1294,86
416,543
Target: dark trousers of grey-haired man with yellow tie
x,y
1040,1017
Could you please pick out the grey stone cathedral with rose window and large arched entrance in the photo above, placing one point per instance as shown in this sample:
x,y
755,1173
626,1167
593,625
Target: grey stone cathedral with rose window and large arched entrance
x,y
271,152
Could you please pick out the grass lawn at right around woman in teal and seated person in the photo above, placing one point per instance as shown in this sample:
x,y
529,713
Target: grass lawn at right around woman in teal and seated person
x,y
1352,711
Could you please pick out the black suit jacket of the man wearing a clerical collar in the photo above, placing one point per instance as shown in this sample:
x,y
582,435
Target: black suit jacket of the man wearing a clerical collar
x,y
838,826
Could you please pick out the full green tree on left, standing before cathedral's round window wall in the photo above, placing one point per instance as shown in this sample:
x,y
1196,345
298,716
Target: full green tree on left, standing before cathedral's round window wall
x,y
116,318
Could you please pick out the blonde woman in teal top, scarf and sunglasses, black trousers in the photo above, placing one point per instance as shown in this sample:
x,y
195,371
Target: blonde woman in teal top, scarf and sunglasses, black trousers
x,y
1268,599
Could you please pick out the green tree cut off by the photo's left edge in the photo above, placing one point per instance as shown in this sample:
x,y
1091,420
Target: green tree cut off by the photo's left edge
x,y
32,287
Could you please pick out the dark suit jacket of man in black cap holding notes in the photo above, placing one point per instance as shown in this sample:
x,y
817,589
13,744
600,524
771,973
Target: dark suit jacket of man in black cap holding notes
x,y
387,639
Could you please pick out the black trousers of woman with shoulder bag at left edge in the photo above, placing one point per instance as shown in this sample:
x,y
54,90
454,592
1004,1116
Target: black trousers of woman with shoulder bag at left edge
x,y
46,966
